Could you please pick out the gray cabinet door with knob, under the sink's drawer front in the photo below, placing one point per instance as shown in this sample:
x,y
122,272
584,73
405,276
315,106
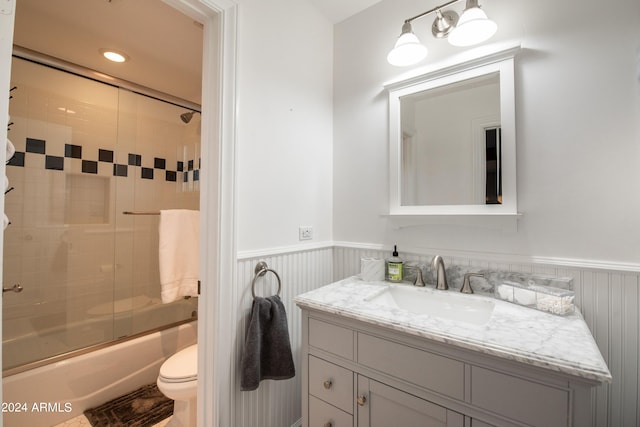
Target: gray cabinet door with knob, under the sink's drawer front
x,y
382,406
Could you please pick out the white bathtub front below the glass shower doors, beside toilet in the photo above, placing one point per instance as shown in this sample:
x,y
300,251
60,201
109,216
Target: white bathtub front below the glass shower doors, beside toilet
x,y
60,391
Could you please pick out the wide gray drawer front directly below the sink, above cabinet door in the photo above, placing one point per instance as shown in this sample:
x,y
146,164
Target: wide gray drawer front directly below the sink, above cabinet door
x,y
428,370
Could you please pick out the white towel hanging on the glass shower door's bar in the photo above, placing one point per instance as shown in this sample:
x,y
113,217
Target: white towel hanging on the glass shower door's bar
x,y
179,253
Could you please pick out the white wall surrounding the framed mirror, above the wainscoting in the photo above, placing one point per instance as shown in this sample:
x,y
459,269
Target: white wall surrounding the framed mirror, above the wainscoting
x,y
577,97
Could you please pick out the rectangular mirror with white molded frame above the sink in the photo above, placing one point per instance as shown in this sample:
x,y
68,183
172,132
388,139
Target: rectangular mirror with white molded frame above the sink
x,y
452,139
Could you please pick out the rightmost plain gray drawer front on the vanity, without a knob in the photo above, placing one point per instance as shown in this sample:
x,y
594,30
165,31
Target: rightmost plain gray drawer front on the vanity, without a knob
x,y
532,403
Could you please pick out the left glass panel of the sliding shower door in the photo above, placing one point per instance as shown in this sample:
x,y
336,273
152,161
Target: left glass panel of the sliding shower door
x,y
60,242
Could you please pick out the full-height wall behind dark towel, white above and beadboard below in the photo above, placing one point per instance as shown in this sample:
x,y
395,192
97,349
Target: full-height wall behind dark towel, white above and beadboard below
x,y
284,180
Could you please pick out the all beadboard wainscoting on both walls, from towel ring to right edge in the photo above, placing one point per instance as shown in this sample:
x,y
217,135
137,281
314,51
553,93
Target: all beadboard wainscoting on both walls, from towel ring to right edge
x,y
609,299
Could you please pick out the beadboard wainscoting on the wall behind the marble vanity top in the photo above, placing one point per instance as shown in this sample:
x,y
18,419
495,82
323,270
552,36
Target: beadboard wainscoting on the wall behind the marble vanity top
x,y
607,295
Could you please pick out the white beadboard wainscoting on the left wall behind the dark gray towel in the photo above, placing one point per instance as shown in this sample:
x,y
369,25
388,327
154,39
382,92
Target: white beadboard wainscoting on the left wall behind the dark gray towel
x,y
276,403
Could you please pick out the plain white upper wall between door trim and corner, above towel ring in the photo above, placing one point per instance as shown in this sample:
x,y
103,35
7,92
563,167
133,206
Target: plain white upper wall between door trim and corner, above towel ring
x,y
284,140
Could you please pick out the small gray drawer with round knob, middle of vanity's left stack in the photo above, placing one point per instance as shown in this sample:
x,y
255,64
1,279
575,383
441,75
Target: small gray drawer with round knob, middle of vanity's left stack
x,y
331,383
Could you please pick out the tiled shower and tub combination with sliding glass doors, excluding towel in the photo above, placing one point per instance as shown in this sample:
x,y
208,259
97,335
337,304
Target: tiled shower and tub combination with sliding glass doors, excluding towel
x,y
88,324
